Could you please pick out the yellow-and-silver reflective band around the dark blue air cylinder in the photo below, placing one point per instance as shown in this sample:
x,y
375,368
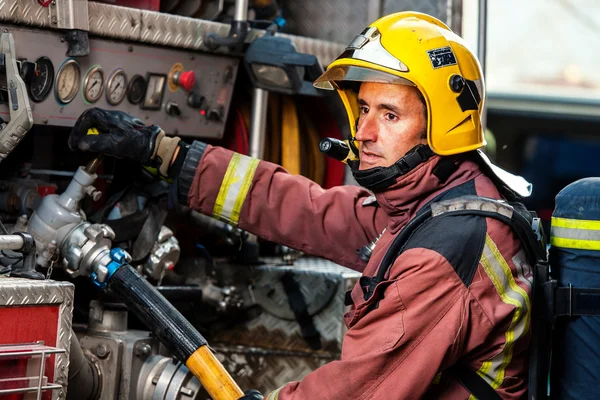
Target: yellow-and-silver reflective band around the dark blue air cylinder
x,y
575,233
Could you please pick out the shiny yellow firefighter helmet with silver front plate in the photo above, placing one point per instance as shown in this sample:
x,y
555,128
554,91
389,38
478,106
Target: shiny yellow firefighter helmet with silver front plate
x,y
416,49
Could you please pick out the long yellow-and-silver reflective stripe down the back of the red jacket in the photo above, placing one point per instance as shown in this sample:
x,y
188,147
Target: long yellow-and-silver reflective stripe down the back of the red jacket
x,y
511,293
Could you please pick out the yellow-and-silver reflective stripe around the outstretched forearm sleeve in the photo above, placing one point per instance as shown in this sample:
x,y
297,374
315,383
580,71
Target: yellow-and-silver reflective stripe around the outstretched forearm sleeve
x,y
234,188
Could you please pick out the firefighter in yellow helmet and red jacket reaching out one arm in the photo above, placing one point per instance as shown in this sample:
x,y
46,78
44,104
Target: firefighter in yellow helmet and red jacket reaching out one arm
x,y
455,305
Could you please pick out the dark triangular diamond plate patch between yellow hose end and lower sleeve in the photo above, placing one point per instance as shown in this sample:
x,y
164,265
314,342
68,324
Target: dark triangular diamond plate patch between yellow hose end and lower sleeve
x,y
266,370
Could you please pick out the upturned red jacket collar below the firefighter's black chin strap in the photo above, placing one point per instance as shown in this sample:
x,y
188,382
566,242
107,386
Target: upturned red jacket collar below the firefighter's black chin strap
x,y
412,191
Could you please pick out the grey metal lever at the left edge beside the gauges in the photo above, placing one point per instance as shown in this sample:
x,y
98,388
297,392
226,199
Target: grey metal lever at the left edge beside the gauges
x,y
21,118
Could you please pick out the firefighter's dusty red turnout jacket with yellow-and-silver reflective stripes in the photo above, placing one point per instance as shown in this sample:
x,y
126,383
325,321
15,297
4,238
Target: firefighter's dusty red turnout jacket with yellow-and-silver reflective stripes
x,y
458,293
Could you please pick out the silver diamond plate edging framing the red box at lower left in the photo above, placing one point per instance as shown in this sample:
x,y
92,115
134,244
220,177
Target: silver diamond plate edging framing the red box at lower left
x,y
17,291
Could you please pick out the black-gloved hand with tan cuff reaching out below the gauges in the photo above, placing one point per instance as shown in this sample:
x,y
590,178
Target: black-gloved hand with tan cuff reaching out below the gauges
x,y
118,134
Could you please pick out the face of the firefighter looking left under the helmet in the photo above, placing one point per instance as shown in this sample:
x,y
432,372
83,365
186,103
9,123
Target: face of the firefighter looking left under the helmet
x,y
392,121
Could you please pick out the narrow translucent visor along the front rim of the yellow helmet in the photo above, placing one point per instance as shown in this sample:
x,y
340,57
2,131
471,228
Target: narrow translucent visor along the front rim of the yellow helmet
x,y
349,73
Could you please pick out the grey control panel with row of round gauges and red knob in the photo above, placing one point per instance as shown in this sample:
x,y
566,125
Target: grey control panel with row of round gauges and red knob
x,y
131,77
